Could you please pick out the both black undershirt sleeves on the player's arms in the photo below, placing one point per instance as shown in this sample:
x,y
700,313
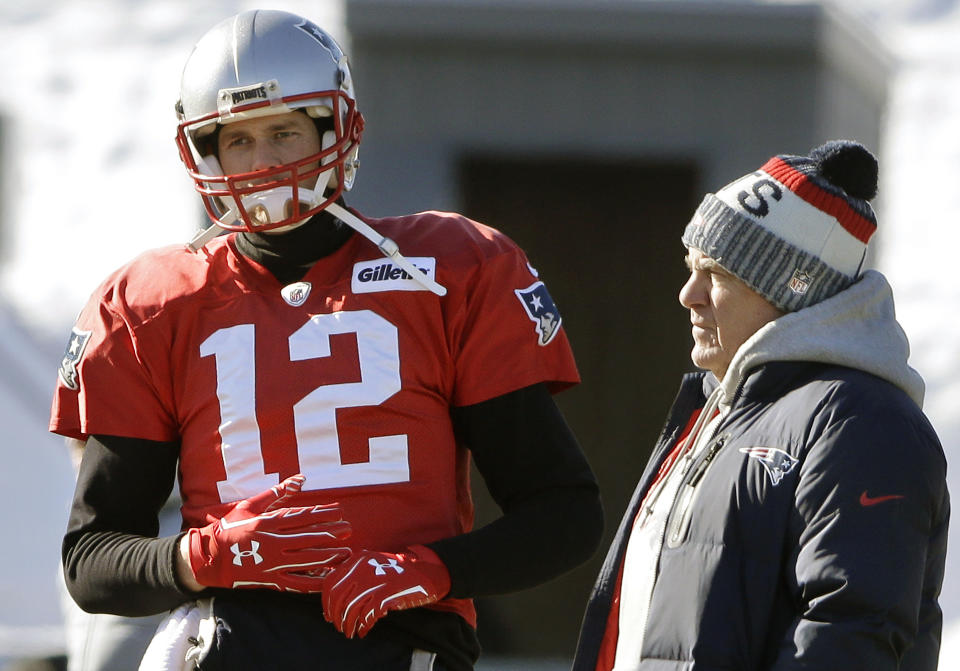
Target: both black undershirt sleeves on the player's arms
x,y
524,450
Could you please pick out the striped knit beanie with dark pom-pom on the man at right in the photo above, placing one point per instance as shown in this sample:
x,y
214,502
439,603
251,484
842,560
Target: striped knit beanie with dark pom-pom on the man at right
x,y
796,230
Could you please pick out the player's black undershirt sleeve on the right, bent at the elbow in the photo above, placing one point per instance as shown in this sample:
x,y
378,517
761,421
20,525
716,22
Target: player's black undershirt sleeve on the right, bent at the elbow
x,y
534,469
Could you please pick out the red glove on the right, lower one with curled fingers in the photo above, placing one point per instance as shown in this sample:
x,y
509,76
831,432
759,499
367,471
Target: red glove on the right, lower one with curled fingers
x,y
363,589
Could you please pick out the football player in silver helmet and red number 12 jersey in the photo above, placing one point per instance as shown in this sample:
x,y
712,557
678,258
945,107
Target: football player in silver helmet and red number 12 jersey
x,y
318,382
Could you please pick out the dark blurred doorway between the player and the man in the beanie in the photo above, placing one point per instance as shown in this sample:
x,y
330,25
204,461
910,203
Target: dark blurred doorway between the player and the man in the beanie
x,y
605,237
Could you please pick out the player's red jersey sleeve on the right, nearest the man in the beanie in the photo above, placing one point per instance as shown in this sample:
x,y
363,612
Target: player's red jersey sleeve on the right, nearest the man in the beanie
x,y
512,333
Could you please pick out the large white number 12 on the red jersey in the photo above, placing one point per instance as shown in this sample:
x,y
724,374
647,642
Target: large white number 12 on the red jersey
x,y
314,416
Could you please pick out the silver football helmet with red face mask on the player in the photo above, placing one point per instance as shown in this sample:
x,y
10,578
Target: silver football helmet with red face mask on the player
x,y
259,63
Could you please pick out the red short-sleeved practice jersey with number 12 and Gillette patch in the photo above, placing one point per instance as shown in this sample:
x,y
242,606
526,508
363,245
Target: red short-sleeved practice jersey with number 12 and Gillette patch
x,y
347,376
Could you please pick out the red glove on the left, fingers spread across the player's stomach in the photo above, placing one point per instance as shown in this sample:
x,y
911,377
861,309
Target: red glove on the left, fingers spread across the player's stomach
x,y
261,543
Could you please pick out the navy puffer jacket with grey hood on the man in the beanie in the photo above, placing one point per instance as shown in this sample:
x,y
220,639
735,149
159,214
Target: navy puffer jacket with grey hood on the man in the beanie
x,y
817,534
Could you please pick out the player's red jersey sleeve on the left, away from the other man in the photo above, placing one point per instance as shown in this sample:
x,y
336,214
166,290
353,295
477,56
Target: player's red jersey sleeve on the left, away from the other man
x,y
103,384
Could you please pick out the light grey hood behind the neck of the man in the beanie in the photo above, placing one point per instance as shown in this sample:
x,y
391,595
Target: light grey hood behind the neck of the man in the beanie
x,y
856,328
